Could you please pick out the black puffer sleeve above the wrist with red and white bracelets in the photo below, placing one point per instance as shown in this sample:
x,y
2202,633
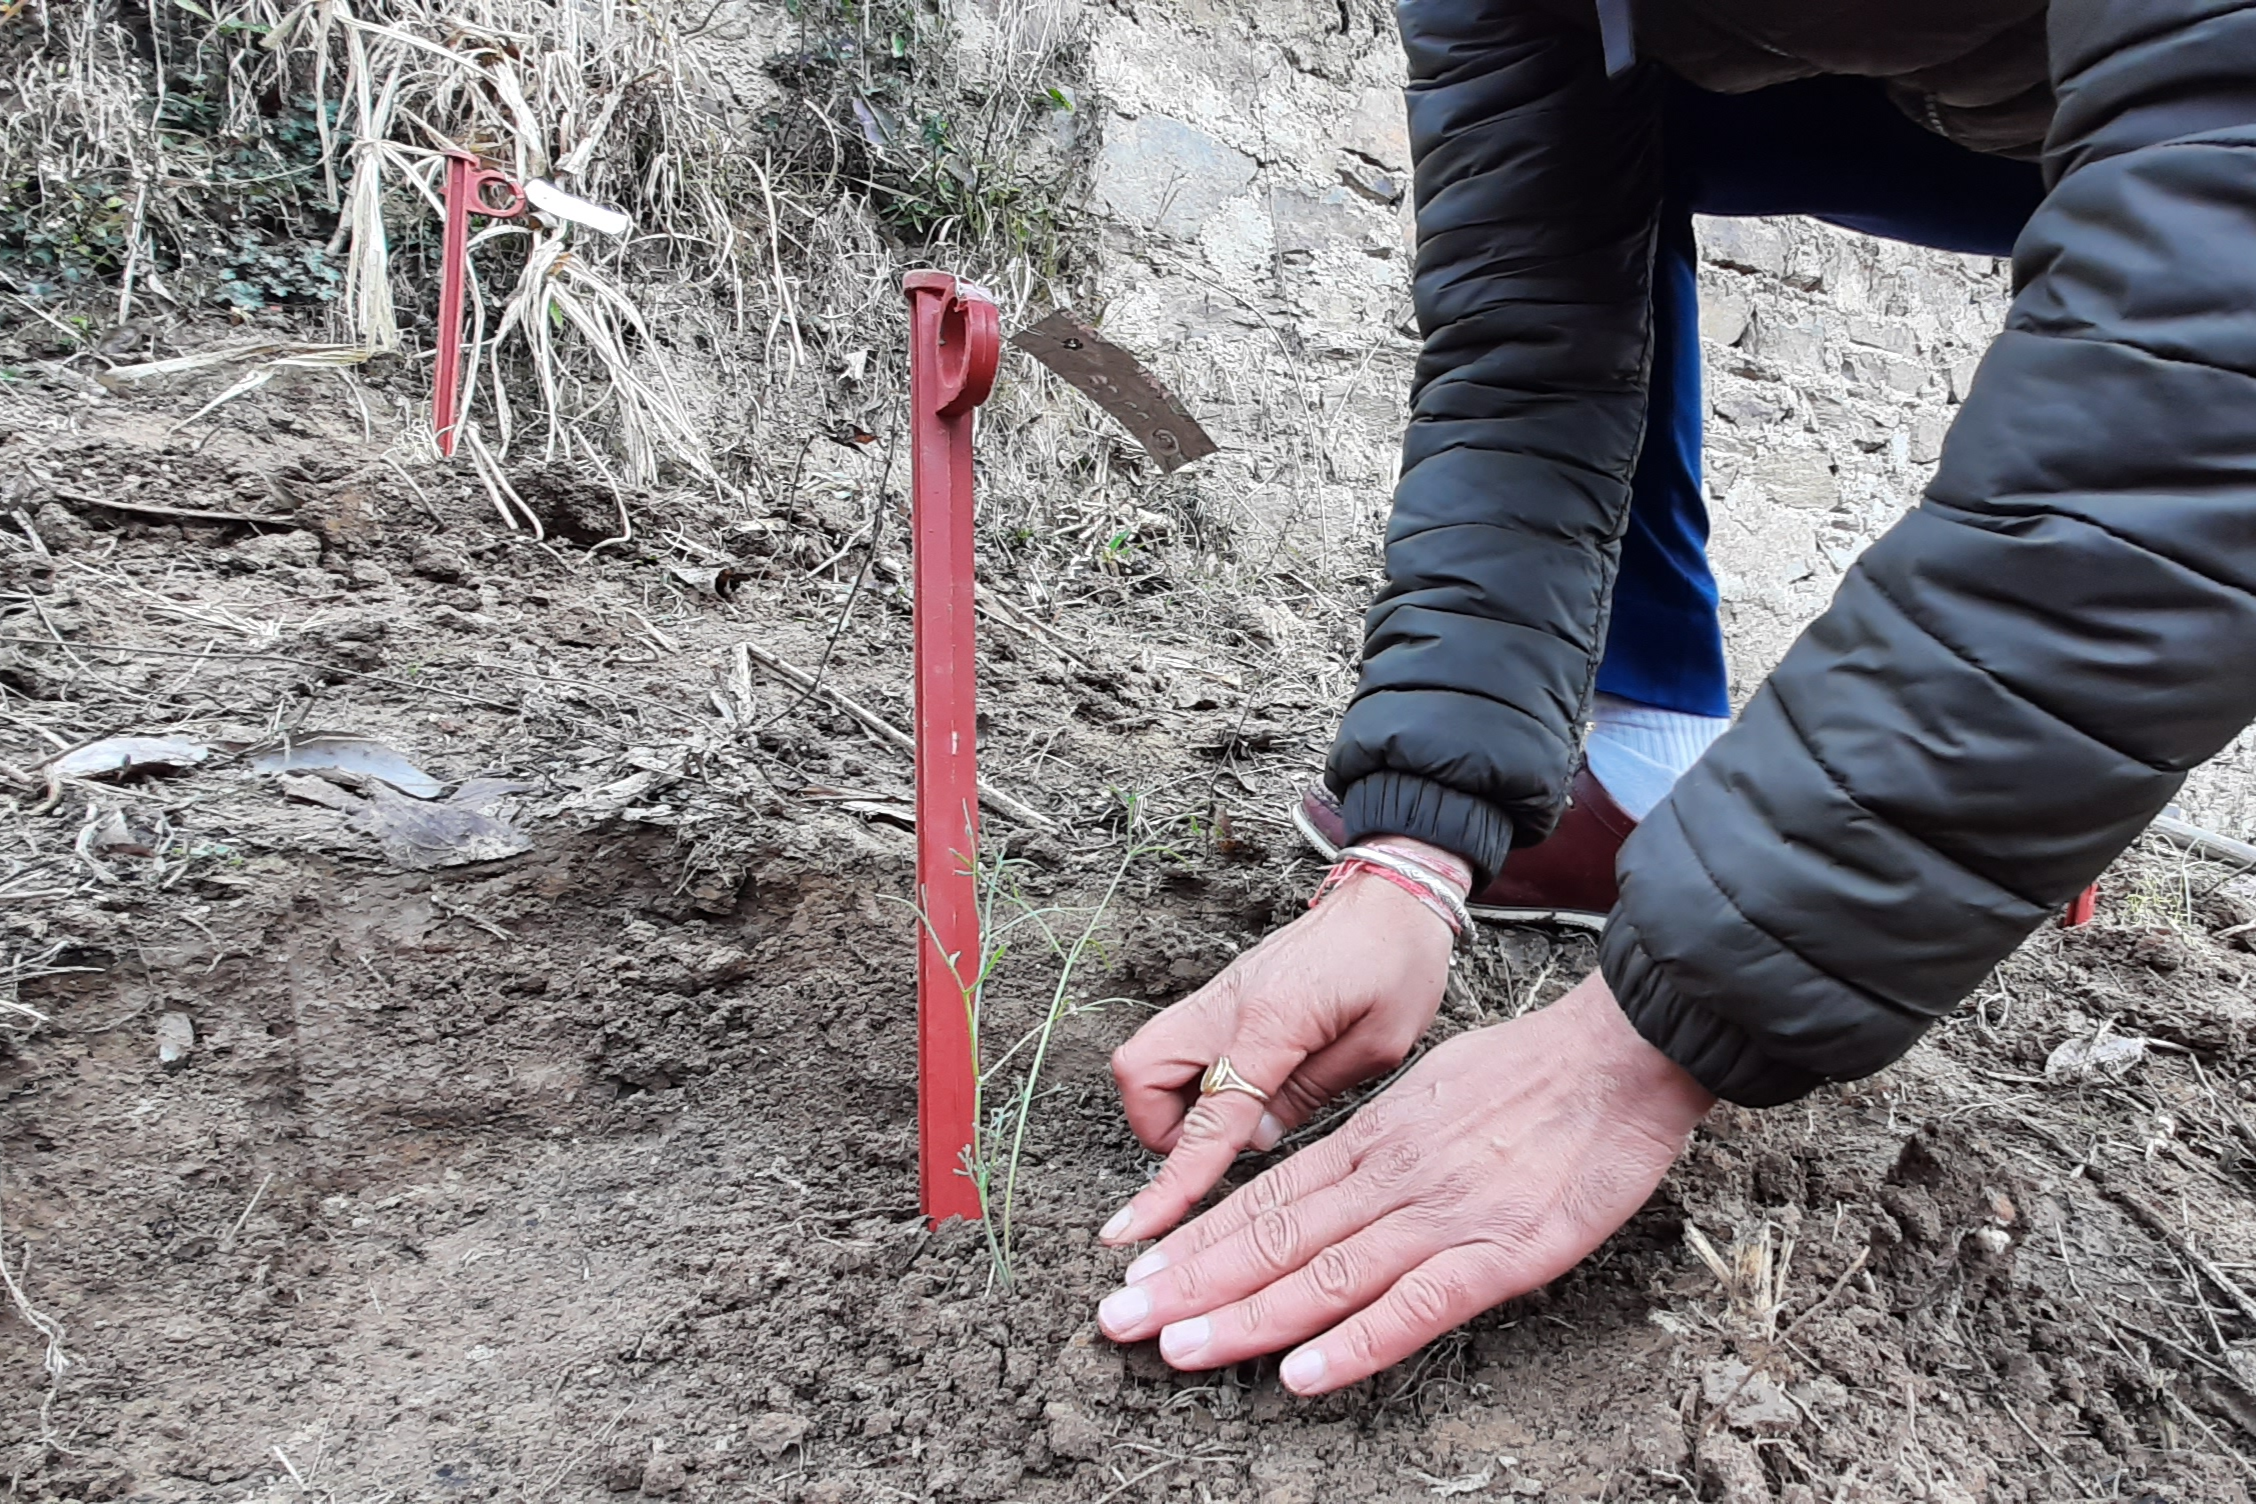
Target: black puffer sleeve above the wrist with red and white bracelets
x,y
1537,197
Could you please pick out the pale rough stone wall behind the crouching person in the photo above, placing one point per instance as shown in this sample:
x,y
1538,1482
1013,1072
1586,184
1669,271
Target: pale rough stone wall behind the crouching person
x,y
1253,179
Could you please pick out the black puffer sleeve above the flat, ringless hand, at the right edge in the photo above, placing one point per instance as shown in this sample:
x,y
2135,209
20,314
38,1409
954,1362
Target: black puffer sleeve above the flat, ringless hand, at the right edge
x,y
2016,680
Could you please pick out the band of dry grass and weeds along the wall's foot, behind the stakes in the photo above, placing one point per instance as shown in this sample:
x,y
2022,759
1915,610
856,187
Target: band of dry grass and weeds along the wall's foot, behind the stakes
x,y
782,170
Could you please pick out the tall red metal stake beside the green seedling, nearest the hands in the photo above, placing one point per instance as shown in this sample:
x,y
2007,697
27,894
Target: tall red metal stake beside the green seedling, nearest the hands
x,y
955,342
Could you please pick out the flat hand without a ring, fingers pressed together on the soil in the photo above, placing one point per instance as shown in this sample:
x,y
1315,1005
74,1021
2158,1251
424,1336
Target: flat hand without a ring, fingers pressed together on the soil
x,y
1486,1171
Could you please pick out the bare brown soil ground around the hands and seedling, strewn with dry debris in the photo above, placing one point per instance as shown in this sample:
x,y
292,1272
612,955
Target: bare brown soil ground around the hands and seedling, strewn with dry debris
x,y
590,1174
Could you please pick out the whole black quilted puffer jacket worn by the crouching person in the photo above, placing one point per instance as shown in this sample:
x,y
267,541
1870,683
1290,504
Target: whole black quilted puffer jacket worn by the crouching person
x,y
2007,687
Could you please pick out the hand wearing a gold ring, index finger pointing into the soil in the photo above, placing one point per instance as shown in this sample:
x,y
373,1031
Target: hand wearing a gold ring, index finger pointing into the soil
x,y
1328,1002
